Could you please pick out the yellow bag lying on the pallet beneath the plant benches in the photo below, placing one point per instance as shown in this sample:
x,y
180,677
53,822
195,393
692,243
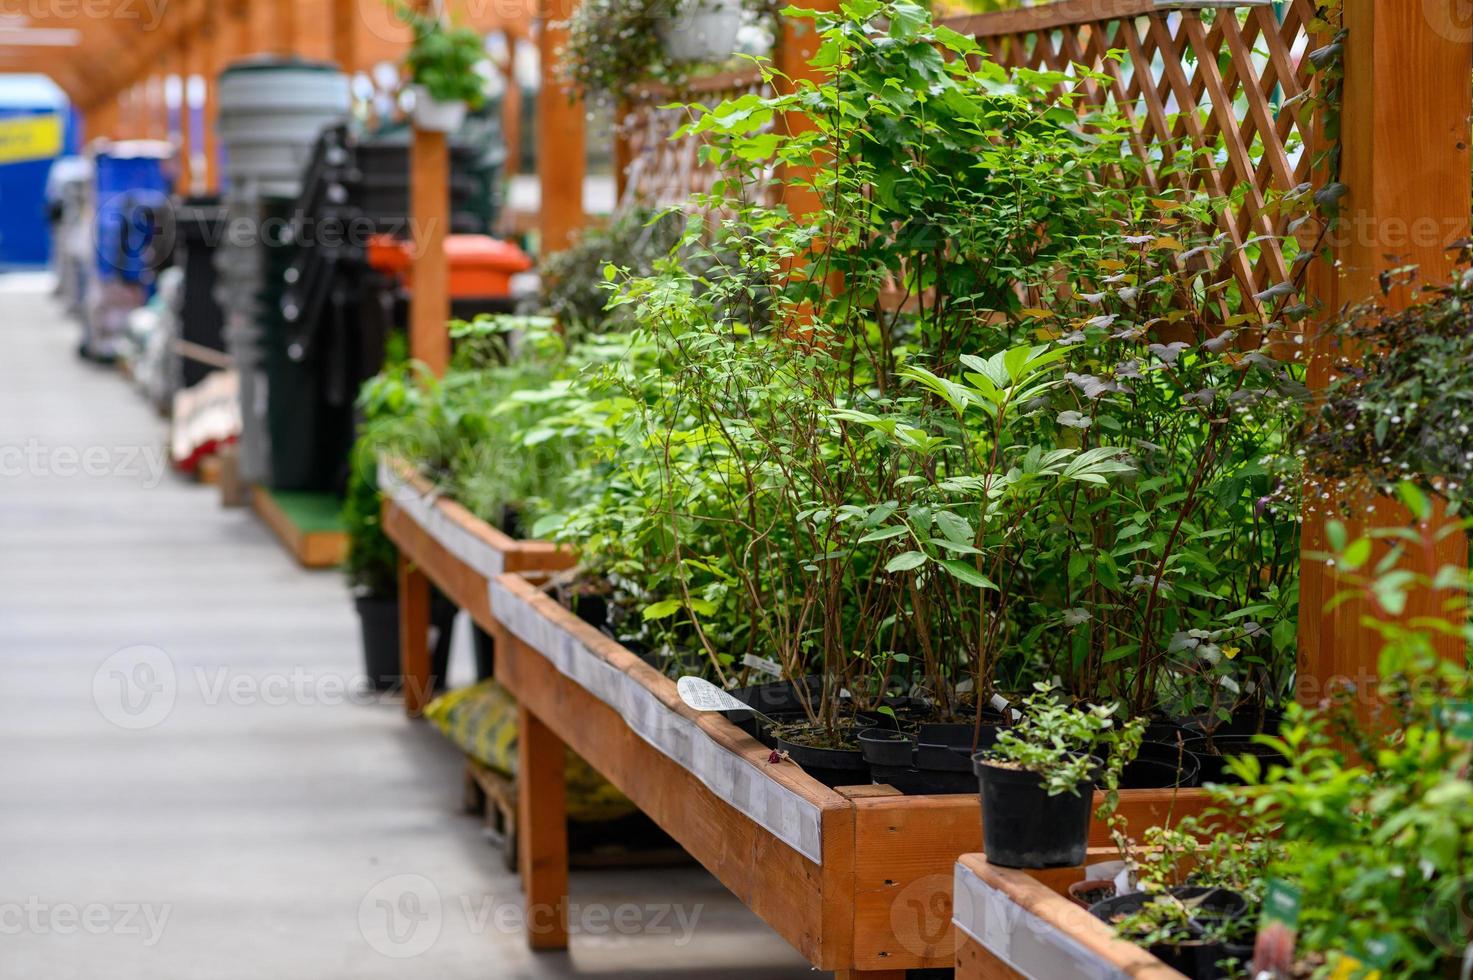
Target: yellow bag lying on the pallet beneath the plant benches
x,y
482,723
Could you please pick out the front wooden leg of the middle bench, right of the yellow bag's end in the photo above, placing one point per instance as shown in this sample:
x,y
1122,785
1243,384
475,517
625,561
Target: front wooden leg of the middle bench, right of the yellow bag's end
x,y
543,830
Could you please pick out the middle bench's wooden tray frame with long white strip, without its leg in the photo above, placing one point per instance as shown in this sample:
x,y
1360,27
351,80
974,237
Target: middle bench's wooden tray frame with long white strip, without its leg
x,y
859,881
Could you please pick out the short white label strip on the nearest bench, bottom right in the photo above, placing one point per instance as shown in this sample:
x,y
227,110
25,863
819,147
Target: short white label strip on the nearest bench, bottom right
x,y
1019,938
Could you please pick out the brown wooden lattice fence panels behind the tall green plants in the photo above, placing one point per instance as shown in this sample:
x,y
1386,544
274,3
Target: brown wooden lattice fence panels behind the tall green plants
x,y
1213,92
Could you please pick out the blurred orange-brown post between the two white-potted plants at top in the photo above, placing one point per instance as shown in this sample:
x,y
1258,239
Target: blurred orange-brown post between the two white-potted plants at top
x,y
562,139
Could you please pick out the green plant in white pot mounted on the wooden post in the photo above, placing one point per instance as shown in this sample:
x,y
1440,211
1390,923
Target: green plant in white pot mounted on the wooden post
x,y
443,64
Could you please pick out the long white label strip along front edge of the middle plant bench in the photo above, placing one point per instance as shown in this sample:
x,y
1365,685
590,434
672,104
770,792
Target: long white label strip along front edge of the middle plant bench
x,y
774,807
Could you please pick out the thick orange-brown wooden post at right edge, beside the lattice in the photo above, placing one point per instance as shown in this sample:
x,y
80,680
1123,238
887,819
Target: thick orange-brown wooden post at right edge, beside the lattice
x,y
1405,132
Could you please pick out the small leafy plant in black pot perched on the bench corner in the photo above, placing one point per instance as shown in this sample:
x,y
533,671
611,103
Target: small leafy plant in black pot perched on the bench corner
x,y
1038,782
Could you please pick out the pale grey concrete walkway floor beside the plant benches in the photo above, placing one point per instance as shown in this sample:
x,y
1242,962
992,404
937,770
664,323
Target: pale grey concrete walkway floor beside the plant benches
x,y
186,791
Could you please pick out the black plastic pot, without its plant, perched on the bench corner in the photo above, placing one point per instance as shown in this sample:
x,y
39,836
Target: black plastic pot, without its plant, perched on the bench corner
x,y
1024,827
